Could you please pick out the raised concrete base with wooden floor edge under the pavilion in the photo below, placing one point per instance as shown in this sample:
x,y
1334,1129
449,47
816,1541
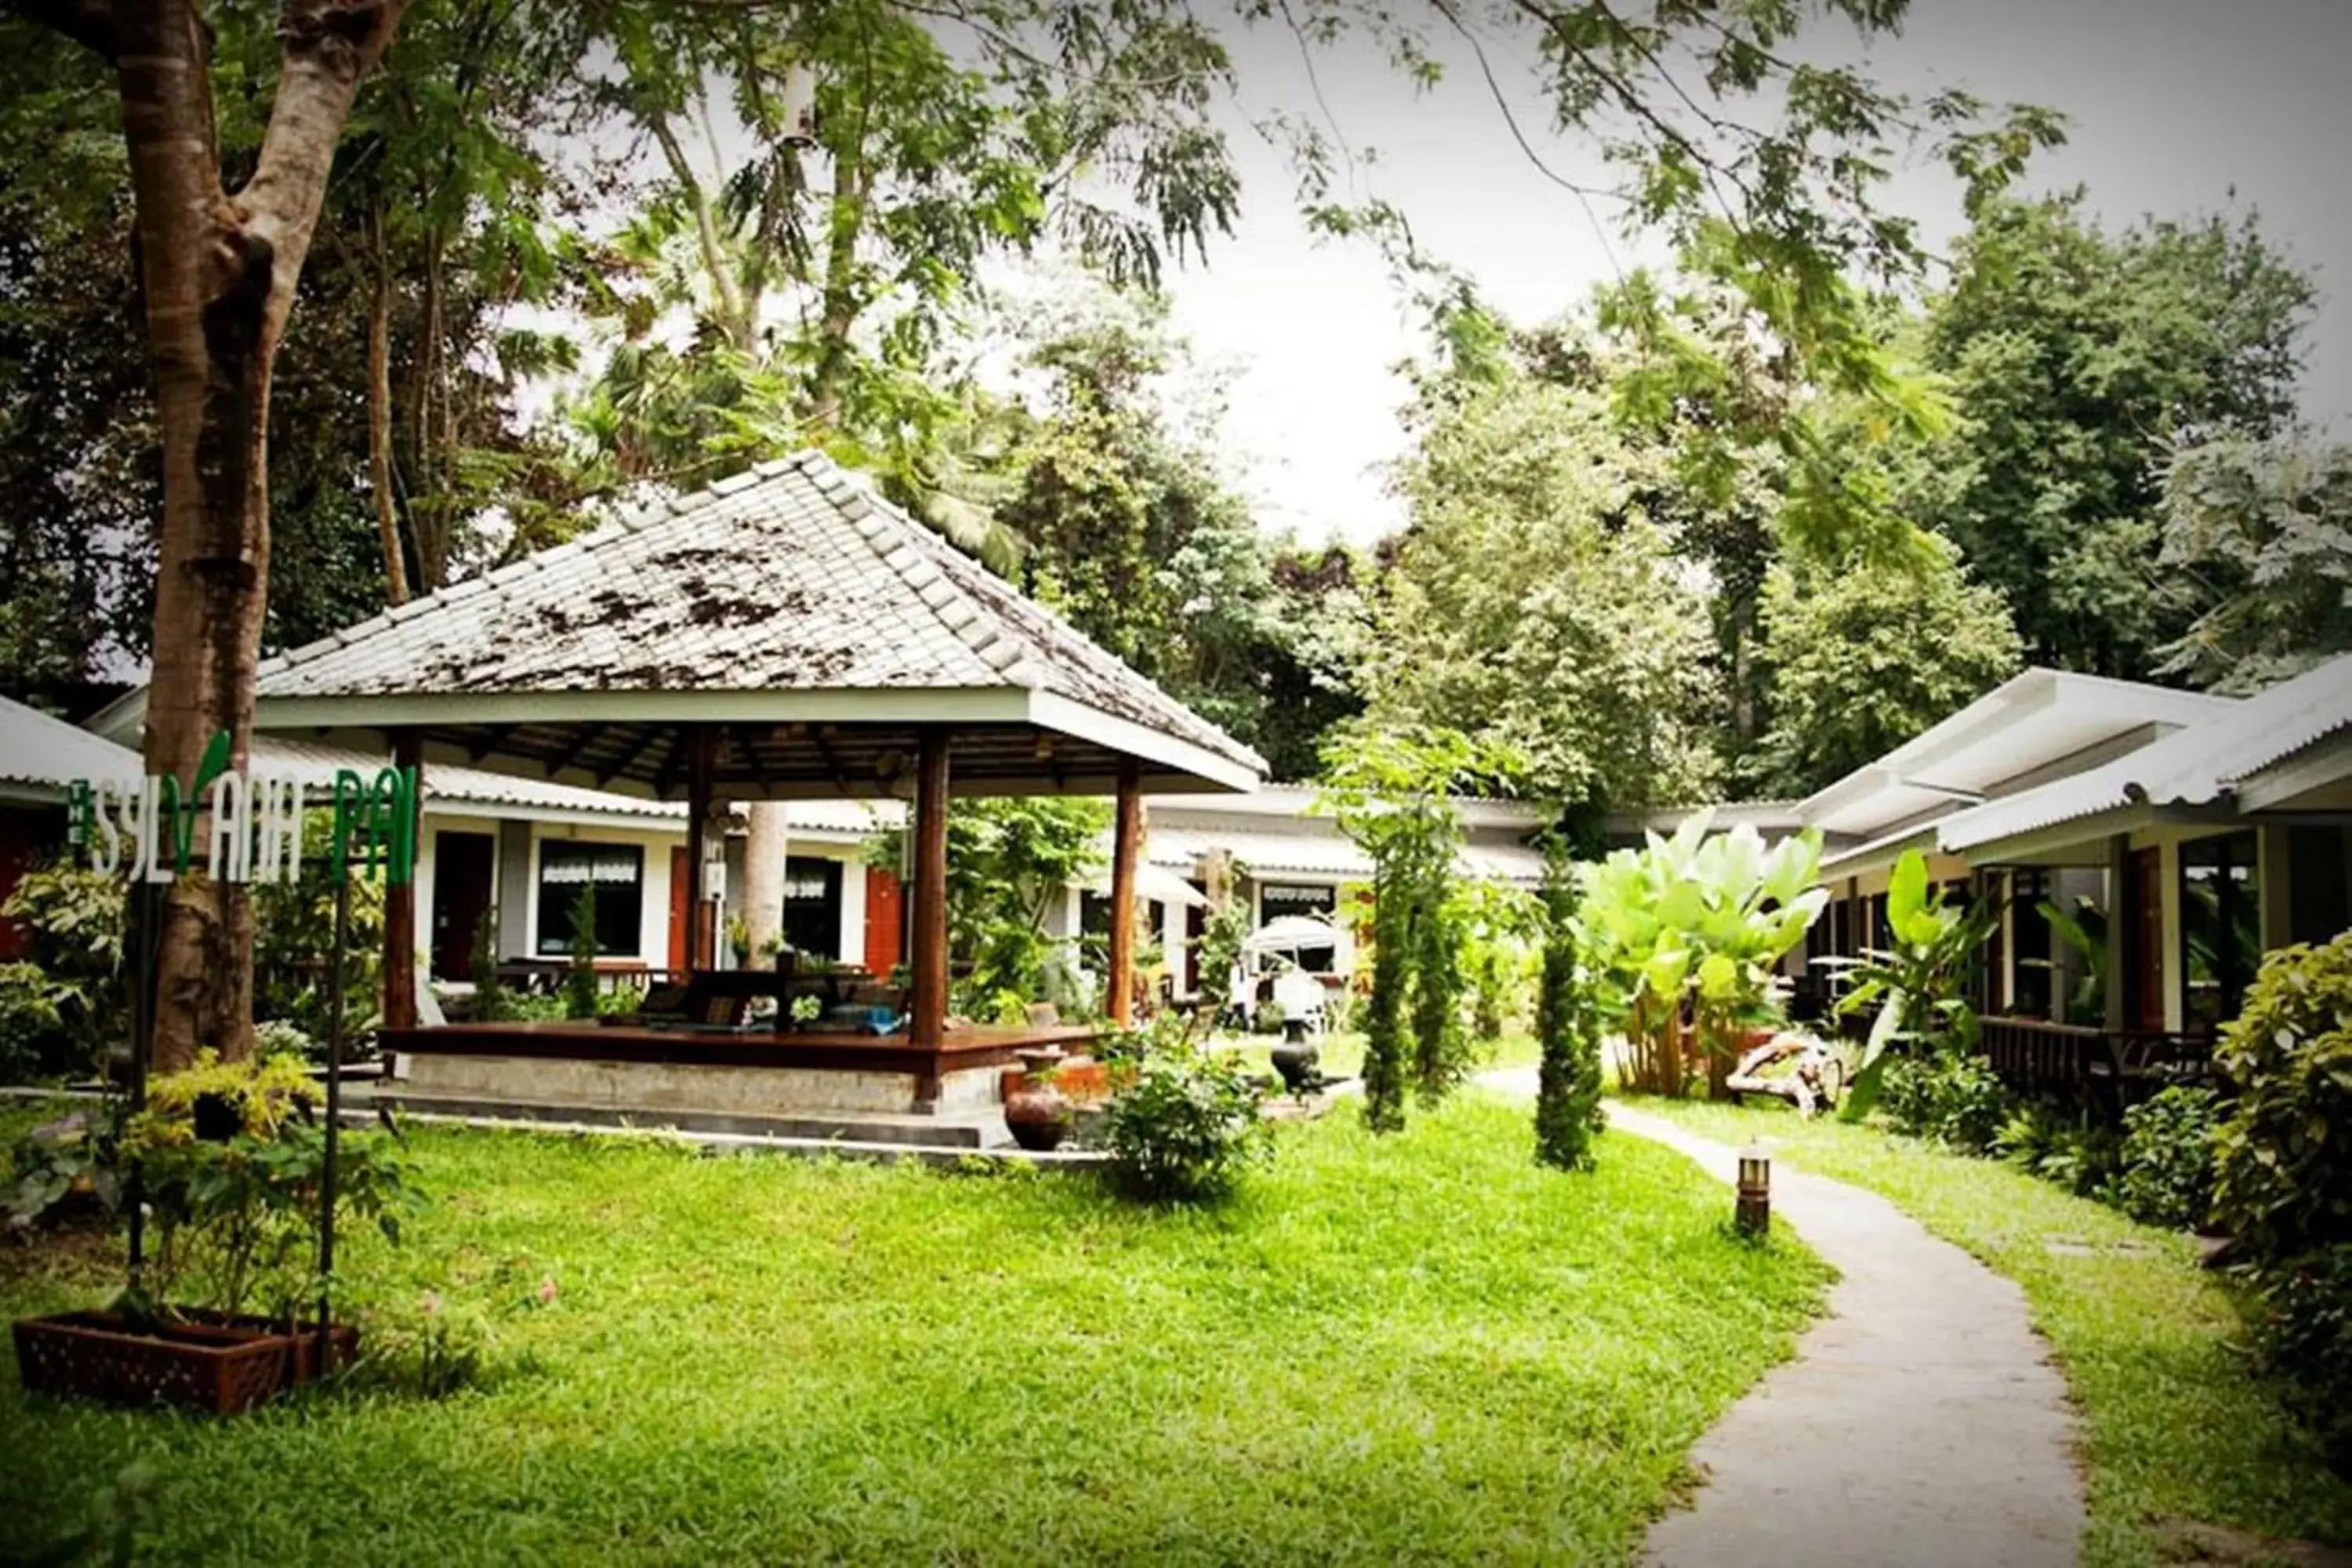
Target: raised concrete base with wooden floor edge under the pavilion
x,y
876,1090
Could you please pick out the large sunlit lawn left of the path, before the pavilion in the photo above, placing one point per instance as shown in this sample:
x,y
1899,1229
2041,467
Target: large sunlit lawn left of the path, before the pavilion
x,y
1417,1348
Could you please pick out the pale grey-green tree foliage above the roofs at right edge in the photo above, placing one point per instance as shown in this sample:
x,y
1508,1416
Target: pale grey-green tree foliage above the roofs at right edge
x,y
2269,525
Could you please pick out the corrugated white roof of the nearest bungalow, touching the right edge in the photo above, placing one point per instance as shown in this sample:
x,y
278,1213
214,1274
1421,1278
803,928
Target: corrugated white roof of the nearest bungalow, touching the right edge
x,y
2191,768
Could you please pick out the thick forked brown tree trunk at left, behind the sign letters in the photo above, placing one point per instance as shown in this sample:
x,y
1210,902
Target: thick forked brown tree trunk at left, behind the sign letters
x,y
218,276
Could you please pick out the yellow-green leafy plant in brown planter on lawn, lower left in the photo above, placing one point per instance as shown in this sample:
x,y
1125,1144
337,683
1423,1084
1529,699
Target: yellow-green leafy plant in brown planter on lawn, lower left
x,y
229,1162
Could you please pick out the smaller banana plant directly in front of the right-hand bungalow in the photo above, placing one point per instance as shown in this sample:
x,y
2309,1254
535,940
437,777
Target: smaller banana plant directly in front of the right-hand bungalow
x,y
1920,981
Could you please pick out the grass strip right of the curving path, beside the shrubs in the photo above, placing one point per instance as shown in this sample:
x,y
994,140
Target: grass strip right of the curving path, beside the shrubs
x,y
2174,1426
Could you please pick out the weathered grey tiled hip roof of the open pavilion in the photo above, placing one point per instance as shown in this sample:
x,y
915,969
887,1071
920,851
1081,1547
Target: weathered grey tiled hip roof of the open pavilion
x,y
789,577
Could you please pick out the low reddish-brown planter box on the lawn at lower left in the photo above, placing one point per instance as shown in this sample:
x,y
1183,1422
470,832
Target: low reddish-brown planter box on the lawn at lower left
x,y
206,1362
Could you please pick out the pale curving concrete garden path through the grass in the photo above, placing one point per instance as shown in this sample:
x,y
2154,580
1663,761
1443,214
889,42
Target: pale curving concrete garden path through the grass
x,y
1920,1423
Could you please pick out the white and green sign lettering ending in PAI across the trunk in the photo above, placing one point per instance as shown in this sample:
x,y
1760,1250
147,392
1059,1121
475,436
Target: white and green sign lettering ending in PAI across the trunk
x,y
253,824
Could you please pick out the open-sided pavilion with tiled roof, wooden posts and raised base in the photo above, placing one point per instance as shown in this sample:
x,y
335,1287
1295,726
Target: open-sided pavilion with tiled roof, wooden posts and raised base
x,y
780,636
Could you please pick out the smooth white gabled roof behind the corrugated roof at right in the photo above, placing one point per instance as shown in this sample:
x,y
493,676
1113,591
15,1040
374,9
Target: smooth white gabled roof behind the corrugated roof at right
x,y
2029,723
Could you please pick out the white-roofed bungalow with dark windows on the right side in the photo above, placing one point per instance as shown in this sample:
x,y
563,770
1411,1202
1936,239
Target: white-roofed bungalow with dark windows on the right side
x,y
2179,838
